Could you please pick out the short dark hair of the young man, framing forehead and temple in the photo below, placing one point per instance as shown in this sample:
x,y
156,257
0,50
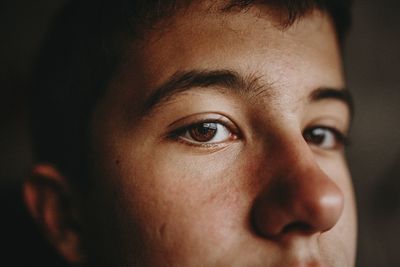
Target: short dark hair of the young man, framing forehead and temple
x,y
83,50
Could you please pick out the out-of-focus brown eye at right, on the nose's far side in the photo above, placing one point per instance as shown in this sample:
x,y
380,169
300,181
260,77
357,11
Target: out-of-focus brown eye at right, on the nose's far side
x,y
324,137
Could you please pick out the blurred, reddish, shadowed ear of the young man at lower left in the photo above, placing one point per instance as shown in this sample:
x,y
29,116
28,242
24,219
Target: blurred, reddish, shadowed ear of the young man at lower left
x,y
50,202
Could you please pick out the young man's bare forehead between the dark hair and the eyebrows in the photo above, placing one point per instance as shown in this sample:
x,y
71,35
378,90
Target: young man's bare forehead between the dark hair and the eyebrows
x,y
251,42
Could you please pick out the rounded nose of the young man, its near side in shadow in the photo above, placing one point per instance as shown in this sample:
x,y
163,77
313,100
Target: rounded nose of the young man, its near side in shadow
x,y
301,199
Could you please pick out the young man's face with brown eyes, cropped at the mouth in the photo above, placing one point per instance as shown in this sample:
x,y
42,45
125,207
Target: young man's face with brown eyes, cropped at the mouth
x,y
220,144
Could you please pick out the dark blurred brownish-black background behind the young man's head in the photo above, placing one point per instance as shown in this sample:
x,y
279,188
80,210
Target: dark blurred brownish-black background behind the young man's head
x,y
372,65
